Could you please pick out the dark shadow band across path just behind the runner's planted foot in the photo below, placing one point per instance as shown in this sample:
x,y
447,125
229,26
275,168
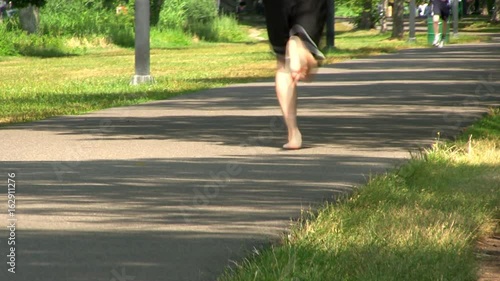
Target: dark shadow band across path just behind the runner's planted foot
x,y
407,130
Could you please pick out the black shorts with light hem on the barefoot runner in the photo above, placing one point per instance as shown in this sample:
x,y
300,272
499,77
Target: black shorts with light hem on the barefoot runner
x,y
304,18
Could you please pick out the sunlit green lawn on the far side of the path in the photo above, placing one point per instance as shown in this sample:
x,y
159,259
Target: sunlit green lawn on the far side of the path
x,y
34,88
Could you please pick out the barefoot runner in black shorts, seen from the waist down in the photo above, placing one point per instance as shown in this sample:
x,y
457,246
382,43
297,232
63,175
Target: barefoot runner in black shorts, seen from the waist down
x,y
294,28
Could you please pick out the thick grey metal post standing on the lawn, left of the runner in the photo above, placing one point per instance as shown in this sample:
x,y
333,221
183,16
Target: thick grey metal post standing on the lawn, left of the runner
x,y
142,46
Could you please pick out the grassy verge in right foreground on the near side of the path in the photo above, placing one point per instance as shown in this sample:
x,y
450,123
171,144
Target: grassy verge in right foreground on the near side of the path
x,y
419,223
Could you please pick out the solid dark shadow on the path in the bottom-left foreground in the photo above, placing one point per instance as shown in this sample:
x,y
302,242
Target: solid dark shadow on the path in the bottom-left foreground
x,y
143,255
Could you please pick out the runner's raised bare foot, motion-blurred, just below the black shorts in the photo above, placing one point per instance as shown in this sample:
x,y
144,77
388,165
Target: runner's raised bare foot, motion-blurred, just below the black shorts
x,y
302,64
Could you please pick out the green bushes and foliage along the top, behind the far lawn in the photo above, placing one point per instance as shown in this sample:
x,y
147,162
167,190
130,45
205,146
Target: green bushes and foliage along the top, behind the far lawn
x,y
50,21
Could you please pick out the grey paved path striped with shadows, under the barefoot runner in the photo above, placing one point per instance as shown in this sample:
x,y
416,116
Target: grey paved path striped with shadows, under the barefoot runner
x,y
179,189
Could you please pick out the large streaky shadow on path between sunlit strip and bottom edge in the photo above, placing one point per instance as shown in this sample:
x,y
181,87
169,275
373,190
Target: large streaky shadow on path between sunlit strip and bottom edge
x,y
165,219
